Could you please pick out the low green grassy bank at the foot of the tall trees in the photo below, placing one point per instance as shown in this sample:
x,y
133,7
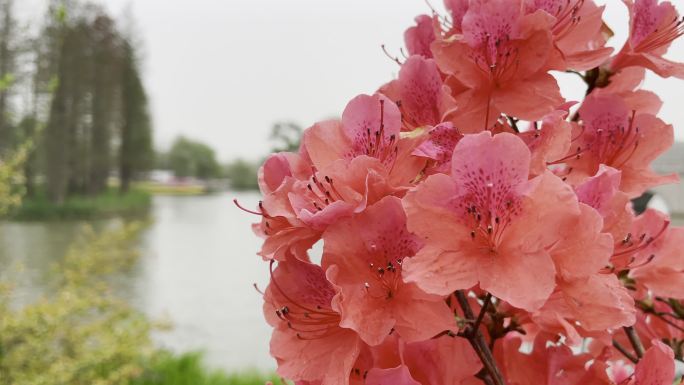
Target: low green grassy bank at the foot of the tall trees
x,y
108,204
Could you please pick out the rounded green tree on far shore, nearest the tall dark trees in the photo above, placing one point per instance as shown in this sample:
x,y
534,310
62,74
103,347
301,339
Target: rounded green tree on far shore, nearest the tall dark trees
x,y
191,158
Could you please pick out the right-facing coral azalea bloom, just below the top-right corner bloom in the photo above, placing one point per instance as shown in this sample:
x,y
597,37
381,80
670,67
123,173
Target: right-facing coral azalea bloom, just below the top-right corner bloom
x,y
626,140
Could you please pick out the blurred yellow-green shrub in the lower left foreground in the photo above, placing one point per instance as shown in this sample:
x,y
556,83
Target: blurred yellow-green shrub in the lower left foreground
x,y
83,334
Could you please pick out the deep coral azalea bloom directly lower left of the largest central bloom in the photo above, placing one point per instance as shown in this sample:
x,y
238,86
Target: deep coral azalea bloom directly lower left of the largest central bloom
x,y
363,256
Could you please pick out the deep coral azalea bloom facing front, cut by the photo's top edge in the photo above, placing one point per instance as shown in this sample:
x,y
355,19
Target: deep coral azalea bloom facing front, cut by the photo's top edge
x,y
499,65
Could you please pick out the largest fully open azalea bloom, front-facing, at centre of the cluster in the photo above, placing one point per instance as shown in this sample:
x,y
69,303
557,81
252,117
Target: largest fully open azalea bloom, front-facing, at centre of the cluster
x,y
488,224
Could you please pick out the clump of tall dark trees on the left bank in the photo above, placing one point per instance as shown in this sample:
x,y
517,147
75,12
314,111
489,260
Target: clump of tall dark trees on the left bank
x,y
74,88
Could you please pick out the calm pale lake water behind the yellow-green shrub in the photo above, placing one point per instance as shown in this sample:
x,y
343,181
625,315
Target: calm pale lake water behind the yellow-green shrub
x,y
197,270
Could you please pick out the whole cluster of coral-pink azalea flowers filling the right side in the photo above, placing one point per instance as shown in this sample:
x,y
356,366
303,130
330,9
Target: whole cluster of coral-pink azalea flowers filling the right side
x,y
477,227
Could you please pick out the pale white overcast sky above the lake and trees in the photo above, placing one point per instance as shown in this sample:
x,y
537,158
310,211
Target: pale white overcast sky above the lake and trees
x,y
223,71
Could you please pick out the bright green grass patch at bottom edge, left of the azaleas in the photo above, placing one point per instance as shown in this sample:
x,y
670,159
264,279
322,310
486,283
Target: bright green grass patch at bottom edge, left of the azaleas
x,y
188,369
